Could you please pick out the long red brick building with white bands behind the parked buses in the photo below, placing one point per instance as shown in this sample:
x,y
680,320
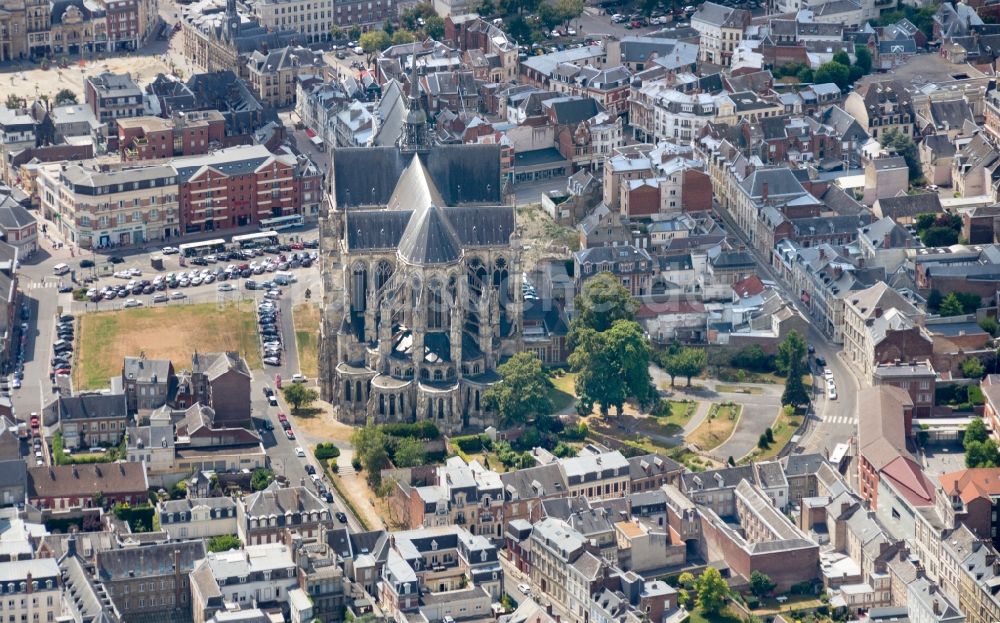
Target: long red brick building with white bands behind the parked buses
x,y
240,186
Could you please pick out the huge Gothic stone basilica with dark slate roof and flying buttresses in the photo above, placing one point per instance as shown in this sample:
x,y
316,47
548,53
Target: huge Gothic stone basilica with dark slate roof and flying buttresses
x,y
422,281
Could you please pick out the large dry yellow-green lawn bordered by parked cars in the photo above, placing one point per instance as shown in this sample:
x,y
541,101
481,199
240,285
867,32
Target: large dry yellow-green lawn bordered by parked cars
x,y
171,332
